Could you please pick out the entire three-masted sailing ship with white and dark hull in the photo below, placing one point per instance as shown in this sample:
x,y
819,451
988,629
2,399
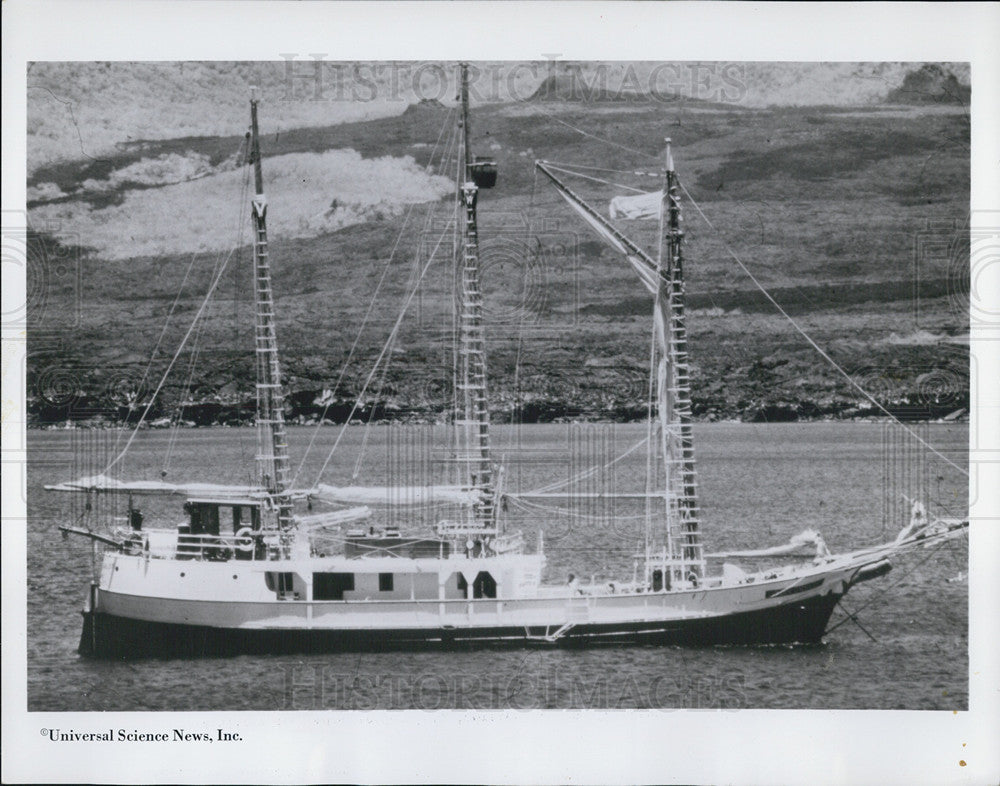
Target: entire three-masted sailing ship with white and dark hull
x,y
241,572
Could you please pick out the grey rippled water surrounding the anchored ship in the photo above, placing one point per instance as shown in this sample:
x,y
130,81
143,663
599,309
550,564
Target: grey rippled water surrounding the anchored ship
x,y
759,486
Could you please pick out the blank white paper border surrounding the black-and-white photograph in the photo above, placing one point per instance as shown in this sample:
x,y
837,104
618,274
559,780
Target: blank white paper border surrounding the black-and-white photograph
x,y
535,746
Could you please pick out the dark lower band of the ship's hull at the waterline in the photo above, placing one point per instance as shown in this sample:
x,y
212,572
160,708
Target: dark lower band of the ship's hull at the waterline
x,y
108,636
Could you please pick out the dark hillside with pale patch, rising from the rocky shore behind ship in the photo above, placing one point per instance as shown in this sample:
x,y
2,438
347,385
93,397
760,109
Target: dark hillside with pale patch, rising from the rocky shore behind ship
x,y
850,215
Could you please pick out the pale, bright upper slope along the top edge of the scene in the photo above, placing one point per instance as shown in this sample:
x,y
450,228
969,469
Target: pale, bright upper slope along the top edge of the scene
x,y
80,111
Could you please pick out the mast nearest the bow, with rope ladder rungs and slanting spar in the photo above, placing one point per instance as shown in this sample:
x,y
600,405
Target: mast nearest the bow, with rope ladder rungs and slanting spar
x,y
674,389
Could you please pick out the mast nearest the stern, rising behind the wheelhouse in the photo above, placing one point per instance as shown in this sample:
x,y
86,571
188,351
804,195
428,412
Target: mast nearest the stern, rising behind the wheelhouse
x,y
272,444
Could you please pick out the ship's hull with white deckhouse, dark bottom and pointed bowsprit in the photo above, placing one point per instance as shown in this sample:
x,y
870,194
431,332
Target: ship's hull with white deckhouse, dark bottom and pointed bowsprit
x,y
149,604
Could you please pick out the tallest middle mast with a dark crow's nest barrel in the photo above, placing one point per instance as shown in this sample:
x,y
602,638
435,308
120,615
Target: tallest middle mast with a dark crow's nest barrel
x,y
473,416
